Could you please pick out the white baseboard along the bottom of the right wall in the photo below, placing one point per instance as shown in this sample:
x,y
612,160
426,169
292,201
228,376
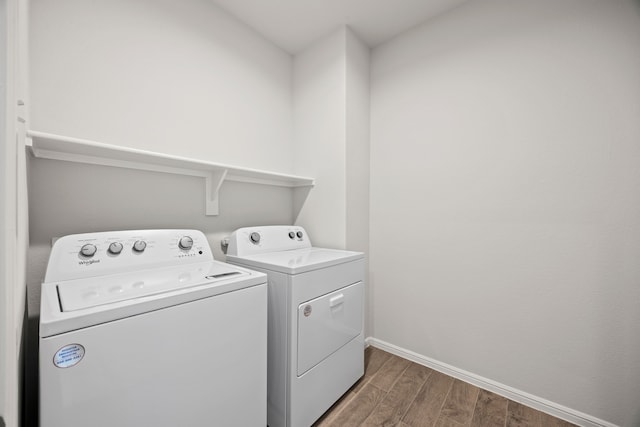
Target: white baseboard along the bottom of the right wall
x,y
543,405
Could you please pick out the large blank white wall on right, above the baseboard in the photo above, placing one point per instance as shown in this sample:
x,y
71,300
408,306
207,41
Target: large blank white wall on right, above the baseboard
x,y
505,206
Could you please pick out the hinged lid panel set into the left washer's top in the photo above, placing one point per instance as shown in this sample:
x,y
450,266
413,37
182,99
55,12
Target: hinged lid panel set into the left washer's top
x,y
85,293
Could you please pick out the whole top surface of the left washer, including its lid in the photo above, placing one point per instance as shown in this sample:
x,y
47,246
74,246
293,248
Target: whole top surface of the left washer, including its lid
x,y
69,305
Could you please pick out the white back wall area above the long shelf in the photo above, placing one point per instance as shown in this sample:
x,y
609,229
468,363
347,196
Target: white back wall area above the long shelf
x,y
180,77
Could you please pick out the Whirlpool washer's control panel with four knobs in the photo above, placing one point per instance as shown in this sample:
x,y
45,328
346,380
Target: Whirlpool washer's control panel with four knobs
x,y
94,254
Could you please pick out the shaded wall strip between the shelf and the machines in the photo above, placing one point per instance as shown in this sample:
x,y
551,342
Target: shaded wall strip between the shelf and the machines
x,y
67,198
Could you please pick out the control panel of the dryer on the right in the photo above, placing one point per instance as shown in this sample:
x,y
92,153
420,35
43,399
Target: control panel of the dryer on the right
x,y
274,238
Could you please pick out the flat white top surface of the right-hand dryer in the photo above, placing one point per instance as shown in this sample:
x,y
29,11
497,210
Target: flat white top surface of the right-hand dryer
x,y
297,261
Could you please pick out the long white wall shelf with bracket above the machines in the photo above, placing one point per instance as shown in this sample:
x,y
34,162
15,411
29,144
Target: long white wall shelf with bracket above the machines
x,y
49,146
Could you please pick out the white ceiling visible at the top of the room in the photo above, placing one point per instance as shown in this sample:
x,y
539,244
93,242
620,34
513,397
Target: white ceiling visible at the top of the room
x,y
295,24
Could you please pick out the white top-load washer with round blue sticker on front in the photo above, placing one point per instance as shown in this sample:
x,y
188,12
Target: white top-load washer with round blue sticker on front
x,y
145,328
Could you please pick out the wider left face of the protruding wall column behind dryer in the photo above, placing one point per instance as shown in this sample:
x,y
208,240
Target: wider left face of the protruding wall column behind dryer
x,y
319,113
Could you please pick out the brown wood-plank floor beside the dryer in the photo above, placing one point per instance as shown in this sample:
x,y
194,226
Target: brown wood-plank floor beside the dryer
x,y
400,393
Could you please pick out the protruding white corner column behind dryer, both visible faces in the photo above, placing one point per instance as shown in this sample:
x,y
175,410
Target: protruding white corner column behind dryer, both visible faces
x,y
331,122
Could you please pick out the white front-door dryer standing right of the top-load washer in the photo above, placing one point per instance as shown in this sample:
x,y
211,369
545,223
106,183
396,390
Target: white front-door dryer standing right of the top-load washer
x,y
316,300
